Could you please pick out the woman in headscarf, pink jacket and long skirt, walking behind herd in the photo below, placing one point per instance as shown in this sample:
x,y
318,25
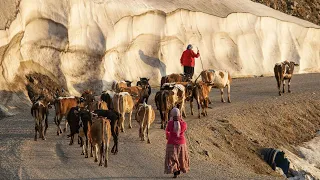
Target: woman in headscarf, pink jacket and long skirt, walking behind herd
x,y
177,157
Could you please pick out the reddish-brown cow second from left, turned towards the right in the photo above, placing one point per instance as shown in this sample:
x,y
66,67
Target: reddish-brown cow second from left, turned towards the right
x,y
62,107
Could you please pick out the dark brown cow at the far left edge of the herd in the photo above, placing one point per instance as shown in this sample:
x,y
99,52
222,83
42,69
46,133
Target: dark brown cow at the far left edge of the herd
x,y
40,112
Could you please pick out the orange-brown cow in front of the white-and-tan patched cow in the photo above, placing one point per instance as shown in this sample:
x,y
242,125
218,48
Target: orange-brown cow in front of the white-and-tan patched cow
x,y
201,95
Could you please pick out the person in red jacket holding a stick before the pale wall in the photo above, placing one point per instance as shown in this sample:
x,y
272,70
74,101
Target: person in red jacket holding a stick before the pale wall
x,y
187,60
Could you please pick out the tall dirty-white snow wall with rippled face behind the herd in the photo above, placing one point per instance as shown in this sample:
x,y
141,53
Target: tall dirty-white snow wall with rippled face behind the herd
x,y
82,42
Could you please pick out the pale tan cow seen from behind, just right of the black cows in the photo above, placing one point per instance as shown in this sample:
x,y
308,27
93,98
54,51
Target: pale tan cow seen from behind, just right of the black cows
x,y
123,104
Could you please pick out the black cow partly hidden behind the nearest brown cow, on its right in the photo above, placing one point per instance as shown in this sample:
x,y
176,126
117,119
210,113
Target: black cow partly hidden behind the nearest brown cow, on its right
x,y
113,116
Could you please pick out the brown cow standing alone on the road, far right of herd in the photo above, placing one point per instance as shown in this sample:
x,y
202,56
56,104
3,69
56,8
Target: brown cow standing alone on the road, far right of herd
x,y
284,71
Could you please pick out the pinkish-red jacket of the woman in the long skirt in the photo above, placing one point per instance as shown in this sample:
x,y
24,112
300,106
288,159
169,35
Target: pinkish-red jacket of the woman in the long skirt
x,y
172,136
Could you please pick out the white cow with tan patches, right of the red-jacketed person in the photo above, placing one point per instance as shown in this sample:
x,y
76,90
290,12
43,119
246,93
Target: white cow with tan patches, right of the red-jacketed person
x,y
219,79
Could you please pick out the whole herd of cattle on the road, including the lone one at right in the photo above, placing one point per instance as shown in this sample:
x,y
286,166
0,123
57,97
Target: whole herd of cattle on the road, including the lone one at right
x,y
96,119
